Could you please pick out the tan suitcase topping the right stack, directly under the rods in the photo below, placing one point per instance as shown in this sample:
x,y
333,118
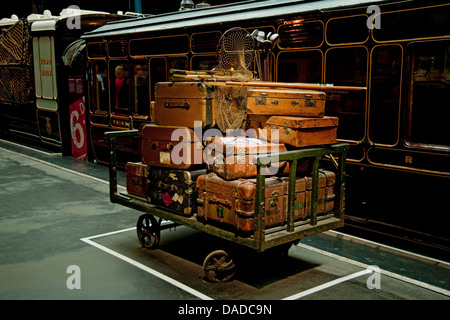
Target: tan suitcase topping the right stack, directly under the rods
x,y
286,102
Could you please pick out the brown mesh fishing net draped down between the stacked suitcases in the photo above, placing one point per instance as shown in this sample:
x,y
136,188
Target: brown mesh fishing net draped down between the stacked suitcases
x,y
235,53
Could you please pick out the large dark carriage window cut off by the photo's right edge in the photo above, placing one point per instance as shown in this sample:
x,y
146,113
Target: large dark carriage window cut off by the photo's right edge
x,y
429,93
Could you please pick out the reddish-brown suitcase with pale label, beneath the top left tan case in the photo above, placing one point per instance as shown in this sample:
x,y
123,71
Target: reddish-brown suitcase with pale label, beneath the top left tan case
x,y
170,146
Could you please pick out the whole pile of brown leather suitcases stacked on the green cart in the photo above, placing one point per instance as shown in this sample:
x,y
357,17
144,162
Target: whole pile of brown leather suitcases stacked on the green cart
x,y
214,180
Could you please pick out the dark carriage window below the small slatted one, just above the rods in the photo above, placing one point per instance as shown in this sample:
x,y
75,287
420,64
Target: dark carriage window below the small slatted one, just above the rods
x,y
300,66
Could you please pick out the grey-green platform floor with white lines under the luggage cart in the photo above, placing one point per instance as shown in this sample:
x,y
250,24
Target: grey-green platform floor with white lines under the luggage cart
x,y
62,239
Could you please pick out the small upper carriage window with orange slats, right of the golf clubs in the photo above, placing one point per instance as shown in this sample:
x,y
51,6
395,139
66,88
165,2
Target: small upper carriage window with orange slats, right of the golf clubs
x,y
300,34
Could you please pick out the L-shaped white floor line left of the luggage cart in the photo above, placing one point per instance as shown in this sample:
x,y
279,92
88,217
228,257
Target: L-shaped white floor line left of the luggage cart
x,y
141,266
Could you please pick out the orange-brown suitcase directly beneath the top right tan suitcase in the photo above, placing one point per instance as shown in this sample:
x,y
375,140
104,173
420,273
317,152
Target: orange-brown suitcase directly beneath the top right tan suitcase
x,y
303,131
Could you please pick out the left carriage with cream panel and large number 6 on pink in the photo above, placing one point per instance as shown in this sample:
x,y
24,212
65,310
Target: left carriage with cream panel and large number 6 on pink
x,y
42,76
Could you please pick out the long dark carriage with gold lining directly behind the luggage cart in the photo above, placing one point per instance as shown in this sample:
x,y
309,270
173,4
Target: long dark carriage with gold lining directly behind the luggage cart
x,y
398,164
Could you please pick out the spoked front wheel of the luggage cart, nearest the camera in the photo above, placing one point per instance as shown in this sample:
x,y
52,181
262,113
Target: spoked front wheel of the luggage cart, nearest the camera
x,y
219,267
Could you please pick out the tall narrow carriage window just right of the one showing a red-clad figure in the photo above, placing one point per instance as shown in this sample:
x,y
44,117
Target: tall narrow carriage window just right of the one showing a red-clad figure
x,y
141,89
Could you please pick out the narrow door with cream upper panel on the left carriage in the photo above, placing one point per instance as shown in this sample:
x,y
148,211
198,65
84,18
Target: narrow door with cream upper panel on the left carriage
x,y
45,87
